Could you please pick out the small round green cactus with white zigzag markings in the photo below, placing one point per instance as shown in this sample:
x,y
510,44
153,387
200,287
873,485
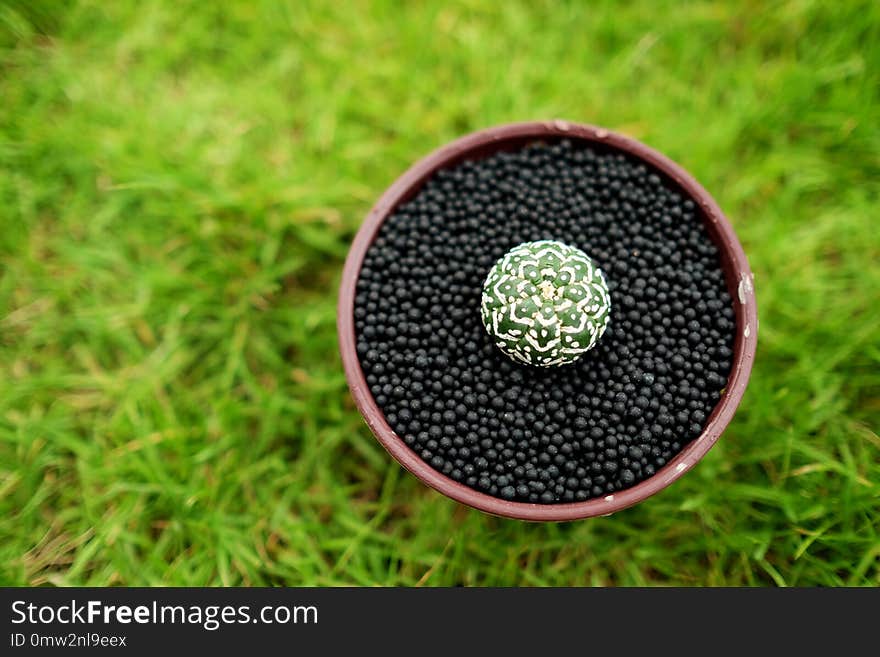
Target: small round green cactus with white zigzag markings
x,y
545,303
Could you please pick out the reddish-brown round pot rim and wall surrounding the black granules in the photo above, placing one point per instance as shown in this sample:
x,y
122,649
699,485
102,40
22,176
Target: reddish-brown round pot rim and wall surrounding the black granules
x,y
510,137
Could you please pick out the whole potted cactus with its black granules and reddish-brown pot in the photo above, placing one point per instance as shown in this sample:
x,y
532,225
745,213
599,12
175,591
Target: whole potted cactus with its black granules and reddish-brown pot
x,y
547,321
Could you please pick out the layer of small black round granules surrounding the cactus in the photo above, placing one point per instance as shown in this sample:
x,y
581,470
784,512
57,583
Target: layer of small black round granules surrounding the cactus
x,y
560,434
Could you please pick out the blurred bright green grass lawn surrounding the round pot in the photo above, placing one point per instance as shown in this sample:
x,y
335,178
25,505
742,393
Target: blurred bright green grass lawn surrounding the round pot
x,y
179,184
